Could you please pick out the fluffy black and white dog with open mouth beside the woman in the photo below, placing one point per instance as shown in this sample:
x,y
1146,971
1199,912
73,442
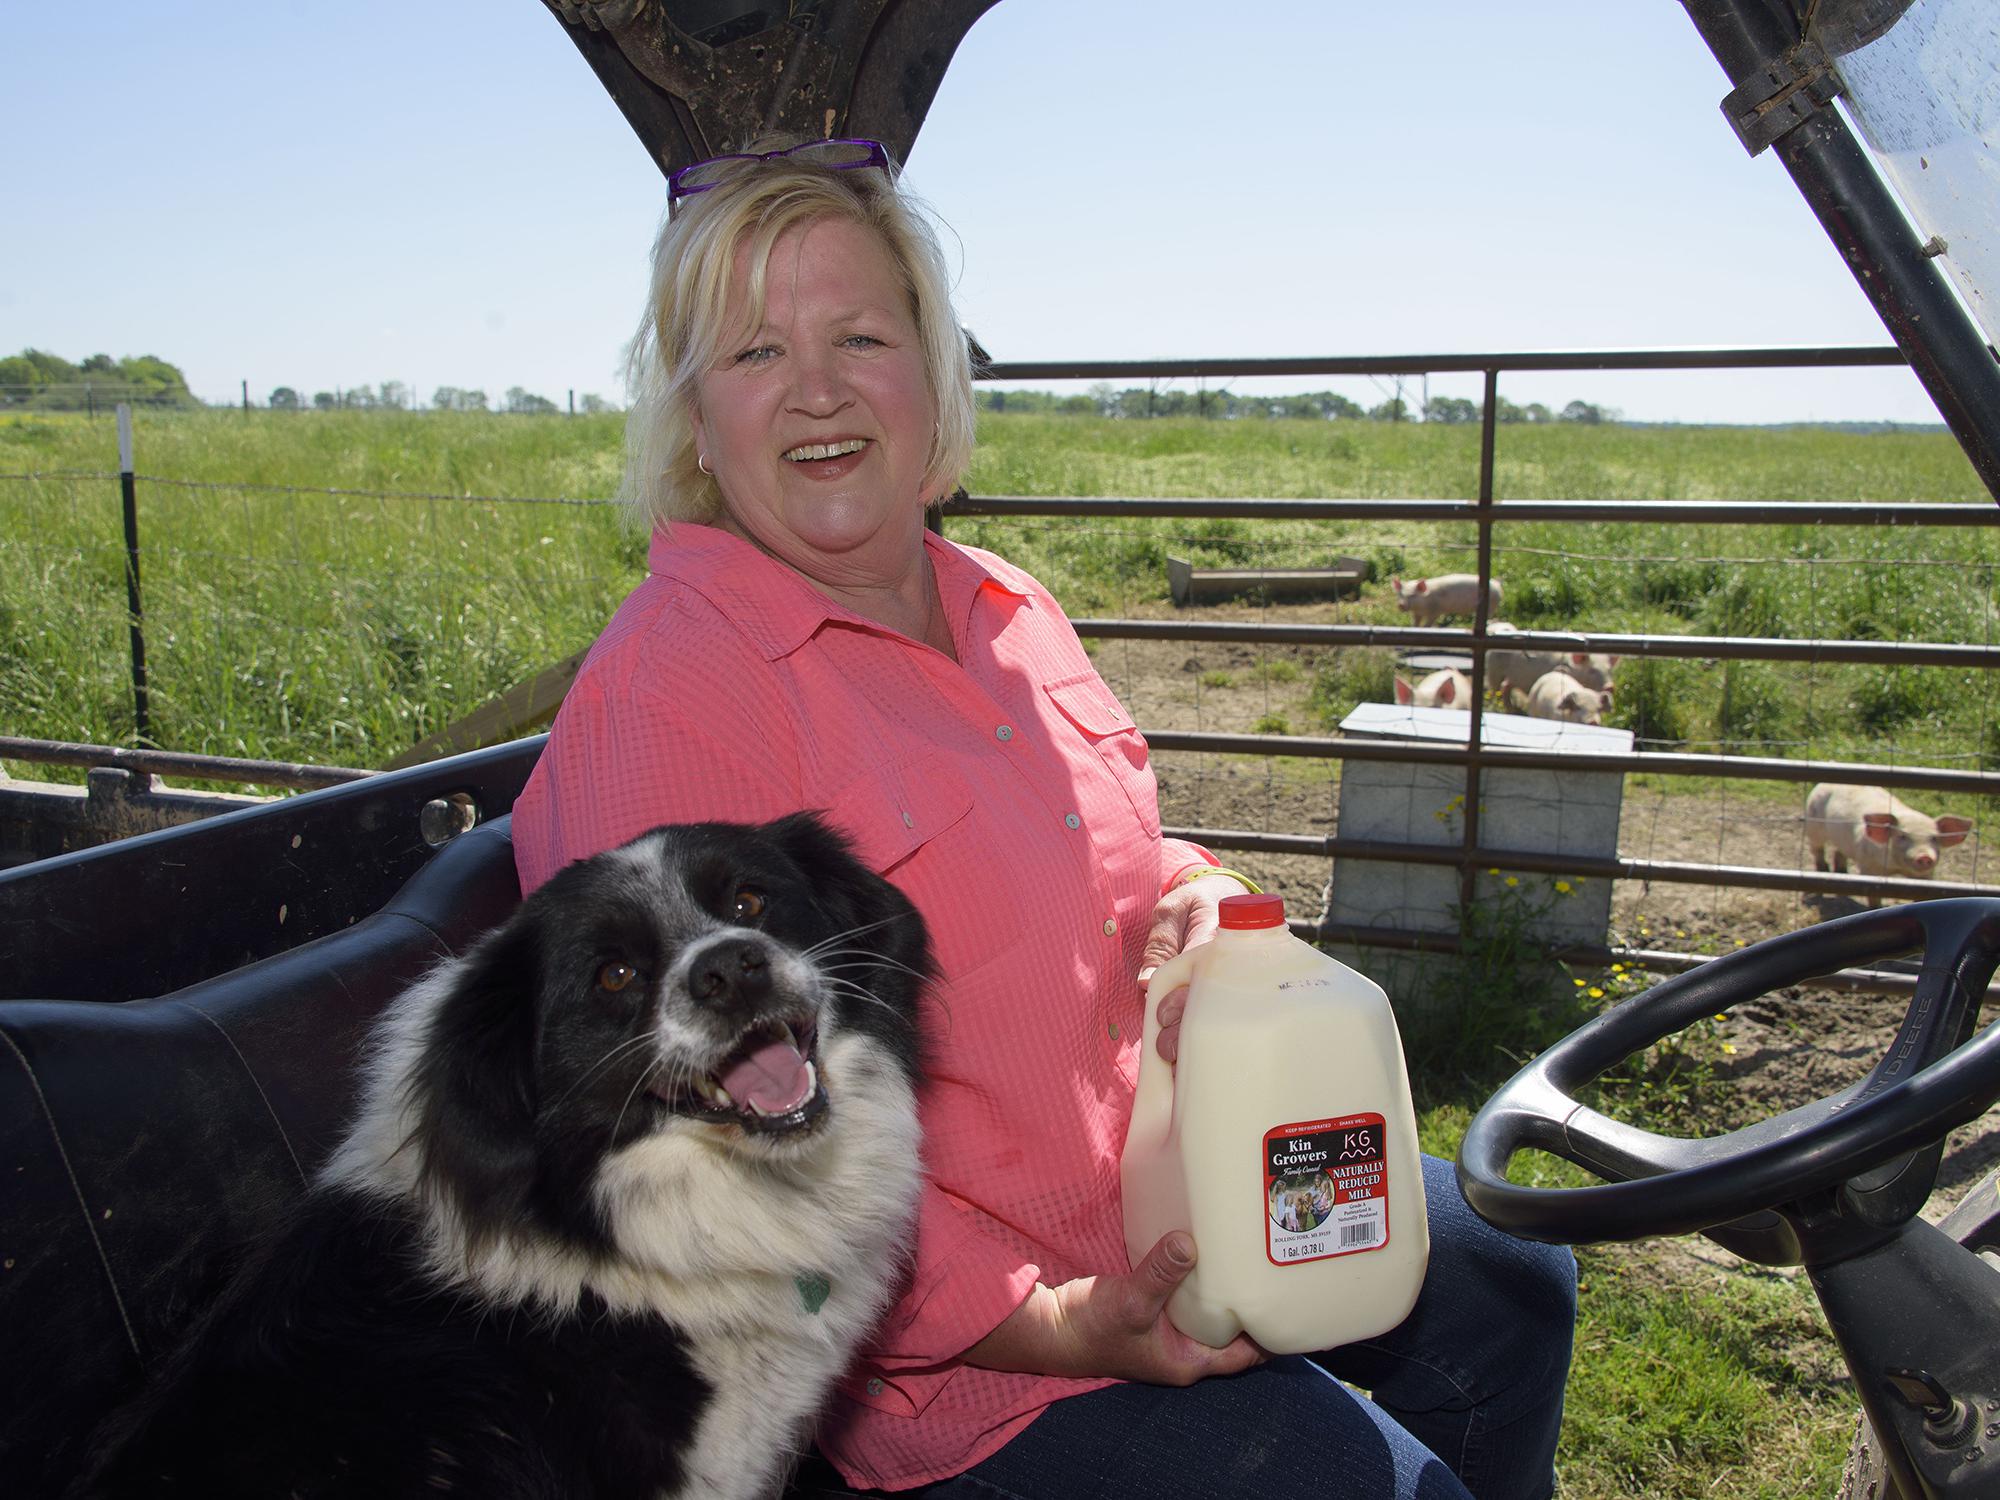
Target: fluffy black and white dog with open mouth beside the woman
x,y
627,1187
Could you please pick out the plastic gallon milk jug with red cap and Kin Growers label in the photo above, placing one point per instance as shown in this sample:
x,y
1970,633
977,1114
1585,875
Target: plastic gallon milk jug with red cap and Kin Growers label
x,y
1283,1139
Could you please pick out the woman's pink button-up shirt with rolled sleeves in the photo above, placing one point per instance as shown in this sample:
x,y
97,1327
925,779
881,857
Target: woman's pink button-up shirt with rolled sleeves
x,y
1011,799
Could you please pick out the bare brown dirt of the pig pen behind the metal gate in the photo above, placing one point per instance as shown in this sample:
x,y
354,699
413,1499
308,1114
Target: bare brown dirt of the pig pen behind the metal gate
x,y
1787,1049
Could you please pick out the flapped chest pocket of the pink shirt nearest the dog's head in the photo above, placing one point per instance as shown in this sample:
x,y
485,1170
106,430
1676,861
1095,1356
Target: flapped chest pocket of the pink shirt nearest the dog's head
x,y
923,827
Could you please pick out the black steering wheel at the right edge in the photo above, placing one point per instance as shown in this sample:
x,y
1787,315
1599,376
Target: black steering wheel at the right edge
x,y
1935,1077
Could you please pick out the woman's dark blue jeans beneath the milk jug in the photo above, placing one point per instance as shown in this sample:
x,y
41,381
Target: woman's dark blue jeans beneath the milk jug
x,y
1467,1399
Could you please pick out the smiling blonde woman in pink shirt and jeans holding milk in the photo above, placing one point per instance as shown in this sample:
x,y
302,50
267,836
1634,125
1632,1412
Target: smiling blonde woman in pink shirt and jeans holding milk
x,y
803,643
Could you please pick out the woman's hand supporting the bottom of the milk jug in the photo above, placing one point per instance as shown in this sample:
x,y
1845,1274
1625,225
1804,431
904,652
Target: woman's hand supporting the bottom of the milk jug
x,y
1113,1327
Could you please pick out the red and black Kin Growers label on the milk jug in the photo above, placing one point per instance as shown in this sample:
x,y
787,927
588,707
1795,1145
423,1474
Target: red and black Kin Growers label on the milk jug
x,y
1325,1189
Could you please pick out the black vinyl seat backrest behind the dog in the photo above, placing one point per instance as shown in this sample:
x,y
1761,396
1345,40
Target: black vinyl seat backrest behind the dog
x,y
145,1143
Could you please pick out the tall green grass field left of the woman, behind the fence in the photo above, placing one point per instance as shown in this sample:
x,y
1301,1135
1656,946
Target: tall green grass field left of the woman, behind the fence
x,y
291,623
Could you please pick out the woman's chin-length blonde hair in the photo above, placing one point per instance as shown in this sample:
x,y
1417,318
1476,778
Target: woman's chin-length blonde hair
x,y
685,327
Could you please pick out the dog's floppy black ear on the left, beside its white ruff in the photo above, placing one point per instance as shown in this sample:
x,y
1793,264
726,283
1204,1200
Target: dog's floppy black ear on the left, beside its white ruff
x,y
475,1083
